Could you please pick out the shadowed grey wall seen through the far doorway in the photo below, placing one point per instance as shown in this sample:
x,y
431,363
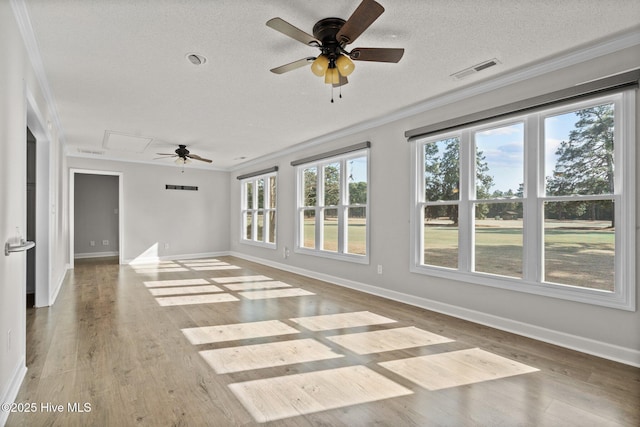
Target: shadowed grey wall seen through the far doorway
x,y
95,215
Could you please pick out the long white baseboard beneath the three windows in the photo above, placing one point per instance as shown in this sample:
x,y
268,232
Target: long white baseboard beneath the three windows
x,y
619,354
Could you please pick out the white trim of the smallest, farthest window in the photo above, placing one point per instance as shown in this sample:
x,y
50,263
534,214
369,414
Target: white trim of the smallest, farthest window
x,y
244,209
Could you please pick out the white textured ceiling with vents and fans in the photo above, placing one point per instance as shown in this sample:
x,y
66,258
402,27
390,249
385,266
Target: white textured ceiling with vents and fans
x,y
120,66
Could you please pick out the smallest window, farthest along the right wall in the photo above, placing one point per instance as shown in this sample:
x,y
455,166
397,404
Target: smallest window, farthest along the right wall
x,y
259,210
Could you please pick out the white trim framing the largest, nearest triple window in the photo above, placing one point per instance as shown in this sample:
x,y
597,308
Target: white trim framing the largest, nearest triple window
x,y
624,295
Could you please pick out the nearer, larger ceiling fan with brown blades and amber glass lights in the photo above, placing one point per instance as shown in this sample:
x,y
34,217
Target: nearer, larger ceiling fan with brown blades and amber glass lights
x,y
331,36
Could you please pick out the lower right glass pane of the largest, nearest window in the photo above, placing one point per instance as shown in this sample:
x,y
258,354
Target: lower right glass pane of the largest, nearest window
x,y
579,243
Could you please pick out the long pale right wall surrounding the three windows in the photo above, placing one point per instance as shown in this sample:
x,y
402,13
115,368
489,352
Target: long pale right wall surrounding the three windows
x,y
598,330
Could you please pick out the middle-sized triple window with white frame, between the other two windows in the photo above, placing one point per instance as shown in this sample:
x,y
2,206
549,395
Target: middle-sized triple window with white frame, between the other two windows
x,y
333,207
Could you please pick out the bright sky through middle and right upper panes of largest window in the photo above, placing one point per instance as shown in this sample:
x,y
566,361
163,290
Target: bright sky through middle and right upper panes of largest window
x,y
504,150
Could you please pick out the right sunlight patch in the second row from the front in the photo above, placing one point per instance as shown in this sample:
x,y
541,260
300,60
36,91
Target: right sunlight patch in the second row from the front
x,y
387,340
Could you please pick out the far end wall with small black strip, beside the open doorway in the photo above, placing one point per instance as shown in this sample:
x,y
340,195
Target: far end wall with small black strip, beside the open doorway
x,y
191,223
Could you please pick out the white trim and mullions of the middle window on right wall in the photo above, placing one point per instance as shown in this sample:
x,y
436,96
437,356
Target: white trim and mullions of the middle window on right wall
x,y
340,255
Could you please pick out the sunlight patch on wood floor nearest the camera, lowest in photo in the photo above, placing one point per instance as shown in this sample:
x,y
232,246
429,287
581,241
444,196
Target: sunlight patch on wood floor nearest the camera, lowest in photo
x,y
282,397
